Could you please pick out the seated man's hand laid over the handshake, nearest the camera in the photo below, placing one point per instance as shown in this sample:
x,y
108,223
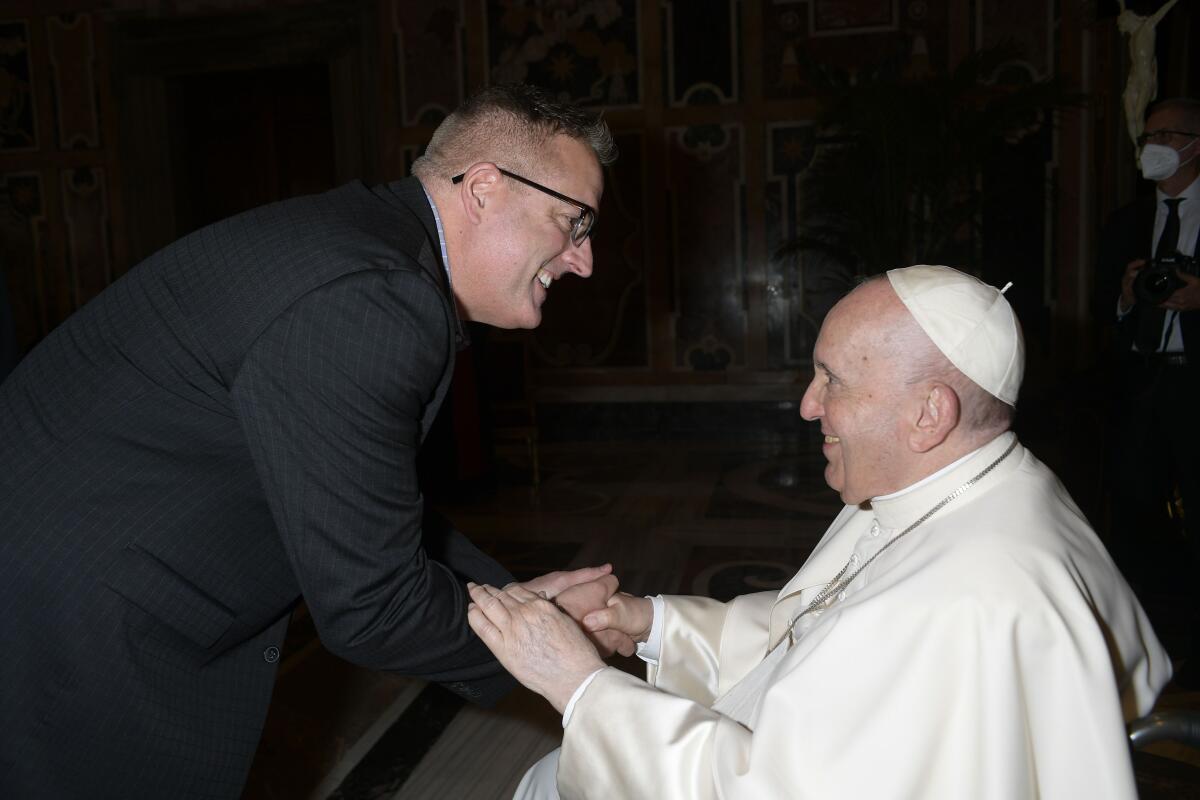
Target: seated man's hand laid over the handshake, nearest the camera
x,y
541,646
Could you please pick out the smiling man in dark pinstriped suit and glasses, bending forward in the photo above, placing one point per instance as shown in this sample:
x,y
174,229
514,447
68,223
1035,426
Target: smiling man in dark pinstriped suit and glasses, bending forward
x,y
233,426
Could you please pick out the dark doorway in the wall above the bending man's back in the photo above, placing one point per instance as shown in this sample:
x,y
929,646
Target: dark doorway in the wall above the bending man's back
x,y
245,139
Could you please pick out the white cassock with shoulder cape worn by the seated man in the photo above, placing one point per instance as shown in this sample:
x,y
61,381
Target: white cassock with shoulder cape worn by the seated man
x,y
993,653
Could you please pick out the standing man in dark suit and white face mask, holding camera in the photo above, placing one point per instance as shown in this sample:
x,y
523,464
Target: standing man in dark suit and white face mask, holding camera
x,y
1157,442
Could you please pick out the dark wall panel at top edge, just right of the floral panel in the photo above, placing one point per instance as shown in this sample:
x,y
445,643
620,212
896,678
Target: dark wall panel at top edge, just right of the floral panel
x,y
703,52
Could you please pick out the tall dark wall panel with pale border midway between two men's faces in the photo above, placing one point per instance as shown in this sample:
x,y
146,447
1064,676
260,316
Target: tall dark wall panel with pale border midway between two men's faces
x,y
707,233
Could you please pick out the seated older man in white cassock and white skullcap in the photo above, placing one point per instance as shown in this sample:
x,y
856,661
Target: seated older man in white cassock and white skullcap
x,y
958,633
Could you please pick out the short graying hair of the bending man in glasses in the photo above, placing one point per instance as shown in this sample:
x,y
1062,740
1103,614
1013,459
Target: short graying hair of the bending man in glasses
x,y
509,125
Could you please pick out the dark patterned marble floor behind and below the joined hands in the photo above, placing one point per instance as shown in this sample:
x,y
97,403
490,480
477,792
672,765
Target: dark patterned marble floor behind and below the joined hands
x,y
693,518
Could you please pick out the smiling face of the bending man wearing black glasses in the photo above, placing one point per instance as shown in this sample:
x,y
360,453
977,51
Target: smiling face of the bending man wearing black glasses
x,y
527,246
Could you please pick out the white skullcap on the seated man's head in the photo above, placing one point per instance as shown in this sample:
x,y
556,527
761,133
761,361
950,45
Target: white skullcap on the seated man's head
x,y
970,322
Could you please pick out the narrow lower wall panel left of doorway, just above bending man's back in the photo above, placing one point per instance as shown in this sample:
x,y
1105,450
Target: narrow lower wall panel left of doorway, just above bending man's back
x,y
86,215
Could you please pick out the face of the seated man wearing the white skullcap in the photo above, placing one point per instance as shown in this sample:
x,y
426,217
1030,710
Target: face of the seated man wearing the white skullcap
x,y
856,395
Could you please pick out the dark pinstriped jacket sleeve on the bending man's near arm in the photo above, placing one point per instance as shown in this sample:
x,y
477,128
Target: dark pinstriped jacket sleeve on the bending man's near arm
x,y
332,399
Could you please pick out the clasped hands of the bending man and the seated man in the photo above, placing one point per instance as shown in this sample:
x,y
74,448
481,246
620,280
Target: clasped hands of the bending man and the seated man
x,y
550,633
